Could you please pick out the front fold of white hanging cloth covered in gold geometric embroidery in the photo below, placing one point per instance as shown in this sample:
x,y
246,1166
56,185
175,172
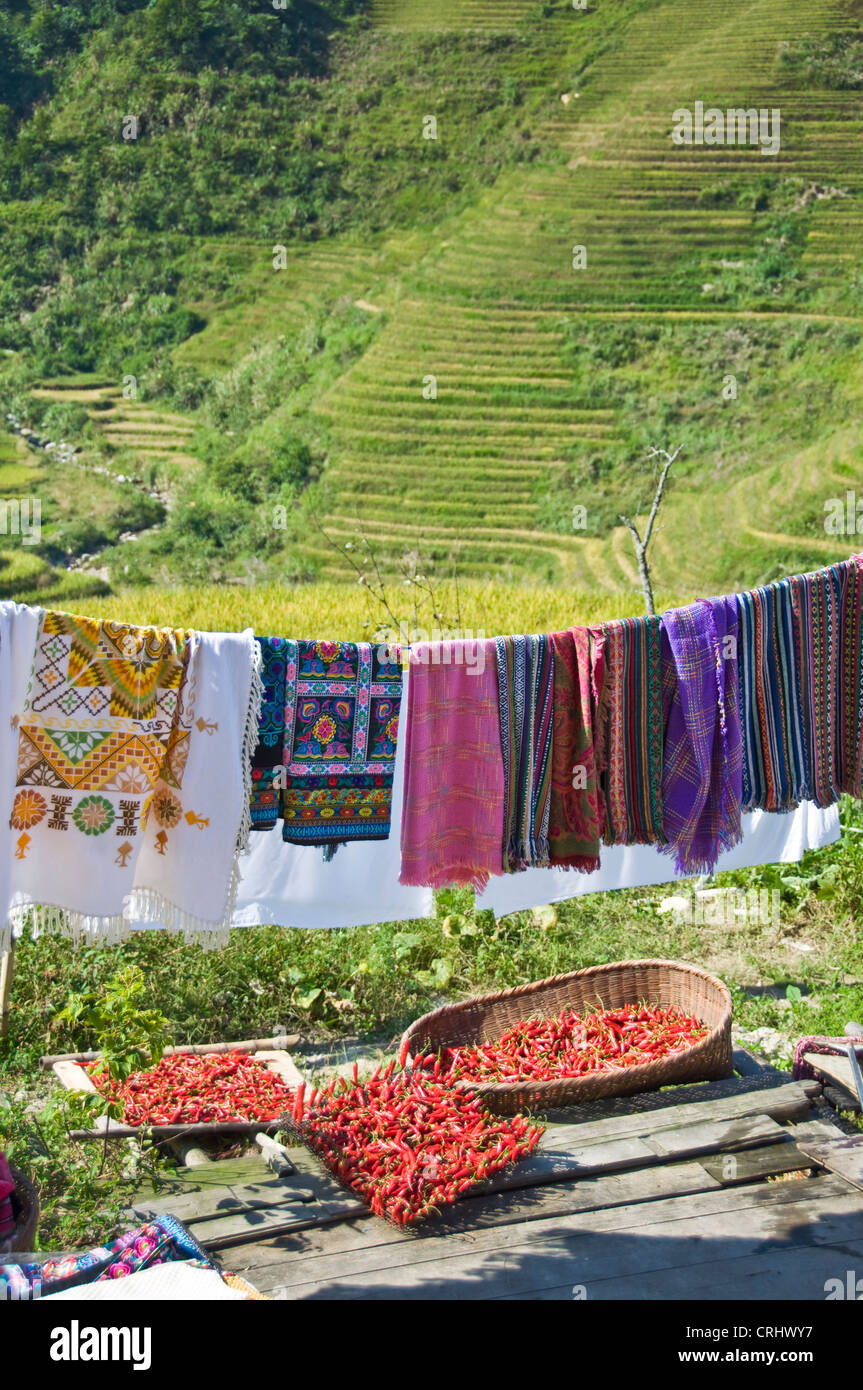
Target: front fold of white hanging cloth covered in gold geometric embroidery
x,y
106,722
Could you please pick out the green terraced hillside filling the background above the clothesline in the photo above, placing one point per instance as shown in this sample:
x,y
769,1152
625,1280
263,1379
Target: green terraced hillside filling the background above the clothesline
x,y
426,370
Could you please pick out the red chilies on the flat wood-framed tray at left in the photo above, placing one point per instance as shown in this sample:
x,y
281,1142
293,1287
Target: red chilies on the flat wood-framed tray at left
x,y
199,1089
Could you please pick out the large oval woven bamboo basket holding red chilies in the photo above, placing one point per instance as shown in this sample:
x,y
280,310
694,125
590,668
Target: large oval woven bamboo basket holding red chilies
x,y
604,986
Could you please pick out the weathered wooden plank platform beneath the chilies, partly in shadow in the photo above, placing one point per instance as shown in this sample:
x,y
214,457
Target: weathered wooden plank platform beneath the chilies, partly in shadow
x,y
732,1189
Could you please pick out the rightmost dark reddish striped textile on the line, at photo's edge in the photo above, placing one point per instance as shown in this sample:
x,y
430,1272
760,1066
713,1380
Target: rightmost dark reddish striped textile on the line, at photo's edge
x,y
829,655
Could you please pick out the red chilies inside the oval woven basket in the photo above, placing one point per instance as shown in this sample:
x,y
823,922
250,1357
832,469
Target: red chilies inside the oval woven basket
x,y
545,1050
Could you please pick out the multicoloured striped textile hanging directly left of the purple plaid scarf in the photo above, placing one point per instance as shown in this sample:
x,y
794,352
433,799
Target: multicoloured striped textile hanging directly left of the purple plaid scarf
x,y
632,737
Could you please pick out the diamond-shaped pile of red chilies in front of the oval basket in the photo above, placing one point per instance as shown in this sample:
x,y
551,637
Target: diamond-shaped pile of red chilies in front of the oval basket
x,y
409,1143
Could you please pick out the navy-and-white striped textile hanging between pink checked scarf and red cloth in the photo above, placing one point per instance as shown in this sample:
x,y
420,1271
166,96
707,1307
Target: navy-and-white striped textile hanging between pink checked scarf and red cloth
x,y
526,686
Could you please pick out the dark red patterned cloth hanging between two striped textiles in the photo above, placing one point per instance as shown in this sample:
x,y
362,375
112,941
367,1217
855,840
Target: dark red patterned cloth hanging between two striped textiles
x,y
576,807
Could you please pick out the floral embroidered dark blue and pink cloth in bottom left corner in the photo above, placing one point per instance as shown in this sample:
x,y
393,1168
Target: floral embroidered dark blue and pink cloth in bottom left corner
x,y
158,1243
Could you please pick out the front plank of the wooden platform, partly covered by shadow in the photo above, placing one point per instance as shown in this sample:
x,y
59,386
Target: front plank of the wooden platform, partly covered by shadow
x,y
650,1241
